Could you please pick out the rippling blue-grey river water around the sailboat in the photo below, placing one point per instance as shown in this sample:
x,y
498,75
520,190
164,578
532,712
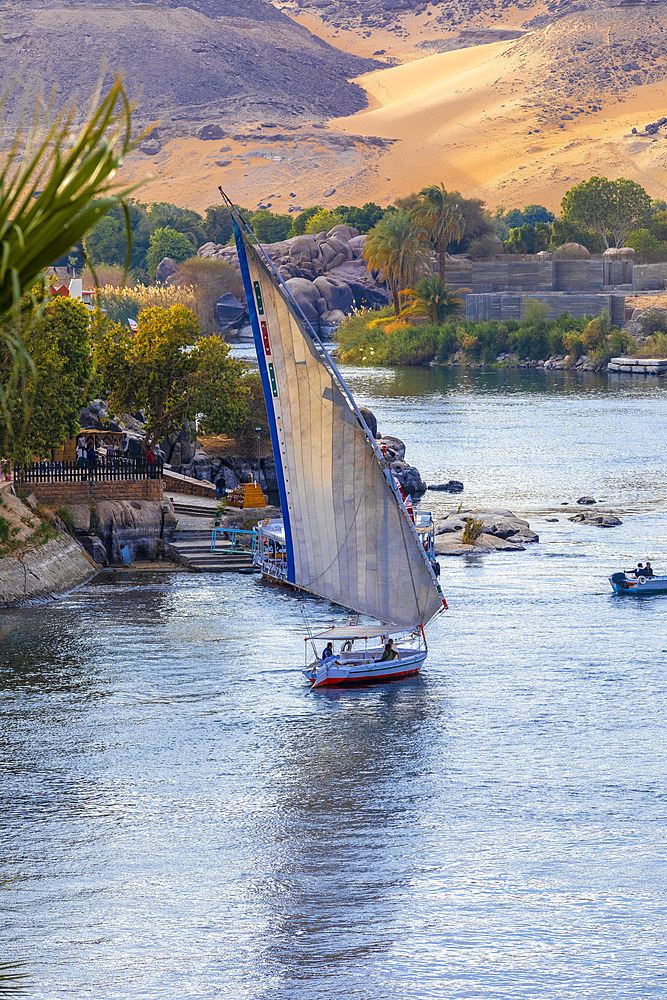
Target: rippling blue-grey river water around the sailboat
x,y
183,820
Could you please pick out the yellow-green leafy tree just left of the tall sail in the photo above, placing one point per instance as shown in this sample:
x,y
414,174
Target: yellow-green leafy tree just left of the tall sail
x,y
171,373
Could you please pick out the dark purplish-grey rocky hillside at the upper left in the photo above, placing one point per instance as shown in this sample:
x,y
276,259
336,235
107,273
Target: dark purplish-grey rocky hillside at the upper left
x,y
185,62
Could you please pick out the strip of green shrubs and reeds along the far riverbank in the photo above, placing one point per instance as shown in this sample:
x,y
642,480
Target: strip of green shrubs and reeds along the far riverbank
x,y
378,337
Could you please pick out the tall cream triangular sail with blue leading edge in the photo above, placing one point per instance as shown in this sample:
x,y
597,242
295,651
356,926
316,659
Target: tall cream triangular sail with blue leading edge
x,y
349,537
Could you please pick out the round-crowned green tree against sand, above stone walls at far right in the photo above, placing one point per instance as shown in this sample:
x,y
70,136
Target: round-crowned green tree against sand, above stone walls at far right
x,y
610,208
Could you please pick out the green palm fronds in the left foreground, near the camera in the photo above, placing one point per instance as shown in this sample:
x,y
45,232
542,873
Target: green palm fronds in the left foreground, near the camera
x,y
56,183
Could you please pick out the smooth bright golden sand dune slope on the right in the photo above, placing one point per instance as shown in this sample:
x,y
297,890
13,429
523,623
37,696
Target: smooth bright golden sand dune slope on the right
x,y
464,118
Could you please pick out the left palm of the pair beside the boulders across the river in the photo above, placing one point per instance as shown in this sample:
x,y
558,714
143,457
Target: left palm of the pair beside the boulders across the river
x,y
395,248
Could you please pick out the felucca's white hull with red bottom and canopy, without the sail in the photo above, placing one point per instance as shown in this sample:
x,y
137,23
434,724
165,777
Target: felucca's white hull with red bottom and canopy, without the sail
x,y
359,656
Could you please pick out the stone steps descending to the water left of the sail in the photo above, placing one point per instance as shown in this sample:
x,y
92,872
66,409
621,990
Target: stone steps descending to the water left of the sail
x,y
192,541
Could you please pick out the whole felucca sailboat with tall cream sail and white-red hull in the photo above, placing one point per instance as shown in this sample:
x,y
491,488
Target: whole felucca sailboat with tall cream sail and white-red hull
x,y
345,534
